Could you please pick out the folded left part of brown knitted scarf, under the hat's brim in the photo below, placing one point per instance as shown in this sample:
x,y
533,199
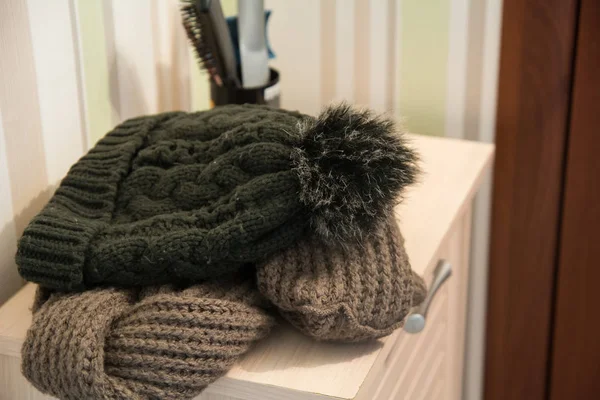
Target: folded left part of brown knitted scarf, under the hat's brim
x,y
157,343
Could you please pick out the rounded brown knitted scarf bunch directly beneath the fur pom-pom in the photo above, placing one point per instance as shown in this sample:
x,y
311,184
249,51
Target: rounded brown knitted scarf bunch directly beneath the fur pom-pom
x,y
339,293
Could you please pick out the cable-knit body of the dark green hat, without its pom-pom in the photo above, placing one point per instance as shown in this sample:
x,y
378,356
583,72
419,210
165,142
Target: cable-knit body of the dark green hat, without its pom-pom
x,y
167,198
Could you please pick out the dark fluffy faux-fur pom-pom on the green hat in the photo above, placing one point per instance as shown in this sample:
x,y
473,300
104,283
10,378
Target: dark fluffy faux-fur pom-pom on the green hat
x,y
352,167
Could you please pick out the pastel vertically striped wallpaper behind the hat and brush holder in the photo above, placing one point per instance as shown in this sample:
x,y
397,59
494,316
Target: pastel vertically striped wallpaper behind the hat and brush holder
x,y
72,69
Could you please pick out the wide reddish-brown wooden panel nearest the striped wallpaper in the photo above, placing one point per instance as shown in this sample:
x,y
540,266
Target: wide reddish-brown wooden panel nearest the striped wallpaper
x,y
532,119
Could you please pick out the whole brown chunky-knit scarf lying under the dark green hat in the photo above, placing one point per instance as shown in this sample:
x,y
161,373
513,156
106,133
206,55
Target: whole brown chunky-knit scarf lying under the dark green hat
x,y
164,343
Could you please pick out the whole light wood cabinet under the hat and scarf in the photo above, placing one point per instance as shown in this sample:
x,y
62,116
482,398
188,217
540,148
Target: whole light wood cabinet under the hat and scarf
x,y
435,219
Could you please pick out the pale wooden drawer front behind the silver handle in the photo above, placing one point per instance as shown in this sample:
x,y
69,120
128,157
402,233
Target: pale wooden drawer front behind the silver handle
x,y
429,365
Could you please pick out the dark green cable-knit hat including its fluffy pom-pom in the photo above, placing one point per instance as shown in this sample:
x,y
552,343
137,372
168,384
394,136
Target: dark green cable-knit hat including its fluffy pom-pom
x,y
185,196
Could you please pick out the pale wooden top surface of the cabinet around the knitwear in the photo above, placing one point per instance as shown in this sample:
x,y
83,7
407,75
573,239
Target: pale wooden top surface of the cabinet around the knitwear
x,y
287,362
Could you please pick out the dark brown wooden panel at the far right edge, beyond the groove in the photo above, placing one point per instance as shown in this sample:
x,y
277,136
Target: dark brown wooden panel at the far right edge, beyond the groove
x,y
576,348
